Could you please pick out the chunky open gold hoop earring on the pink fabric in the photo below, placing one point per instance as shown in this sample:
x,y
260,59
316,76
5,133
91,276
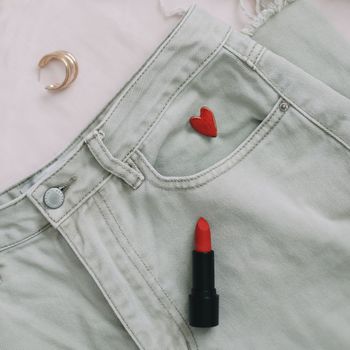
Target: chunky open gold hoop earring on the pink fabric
x,y
70,64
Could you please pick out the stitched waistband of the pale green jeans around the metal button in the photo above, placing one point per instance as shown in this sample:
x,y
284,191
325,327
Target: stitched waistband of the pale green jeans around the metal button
x,y
104,146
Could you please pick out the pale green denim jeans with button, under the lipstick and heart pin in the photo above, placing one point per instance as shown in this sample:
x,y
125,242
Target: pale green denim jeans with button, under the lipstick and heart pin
x,y
96,247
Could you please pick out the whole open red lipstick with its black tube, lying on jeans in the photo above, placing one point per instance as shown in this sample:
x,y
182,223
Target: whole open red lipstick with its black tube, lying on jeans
x,y
203,300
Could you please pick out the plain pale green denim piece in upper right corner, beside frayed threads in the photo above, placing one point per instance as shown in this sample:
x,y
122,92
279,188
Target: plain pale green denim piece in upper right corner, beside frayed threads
x,y
301,34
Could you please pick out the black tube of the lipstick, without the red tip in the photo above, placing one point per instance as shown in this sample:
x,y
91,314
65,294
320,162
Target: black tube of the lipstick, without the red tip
x,y
203,300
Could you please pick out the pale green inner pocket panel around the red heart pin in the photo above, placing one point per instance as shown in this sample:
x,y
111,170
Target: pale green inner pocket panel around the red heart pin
x,y
239,99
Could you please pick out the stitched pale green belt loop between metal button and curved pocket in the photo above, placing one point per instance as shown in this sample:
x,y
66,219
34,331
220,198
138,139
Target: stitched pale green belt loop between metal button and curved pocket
x,y
133,177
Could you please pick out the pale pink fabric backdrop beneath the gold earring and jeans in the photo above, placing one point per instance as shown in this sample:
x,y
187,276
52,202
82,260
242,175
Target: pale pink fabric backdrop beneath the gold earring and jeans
x,y
111,39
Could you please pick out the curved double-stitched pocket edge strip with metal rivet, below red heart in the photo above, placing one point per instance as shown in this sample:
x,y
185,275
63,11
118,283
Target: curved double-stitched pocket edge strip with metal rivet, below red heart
x,y
205,176
